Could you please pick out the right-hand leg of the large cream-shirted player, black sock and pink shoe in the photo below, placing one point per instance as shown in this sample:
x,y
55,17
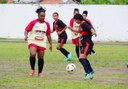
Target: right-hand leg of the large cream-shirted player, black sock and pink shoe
x,y
40,62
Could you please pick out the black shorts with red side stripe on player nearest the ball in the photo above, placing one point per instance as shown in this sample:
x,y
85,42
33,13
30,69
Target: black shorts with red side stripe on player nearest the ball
x,y
86,48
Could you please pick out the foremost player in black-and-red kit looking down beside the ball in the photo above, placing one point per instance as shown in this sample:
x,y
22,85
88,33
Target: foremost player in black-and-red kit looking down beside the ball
x,y
86,31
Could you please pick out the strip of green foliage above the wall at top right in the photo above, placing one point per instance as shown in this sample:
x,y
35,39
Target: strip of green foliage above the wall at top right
x,y
118,2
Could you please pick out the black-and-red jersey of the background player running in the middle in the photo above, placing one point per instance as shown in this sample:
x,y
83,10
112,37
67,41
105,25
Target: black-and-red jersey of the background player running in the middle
x,y
58,26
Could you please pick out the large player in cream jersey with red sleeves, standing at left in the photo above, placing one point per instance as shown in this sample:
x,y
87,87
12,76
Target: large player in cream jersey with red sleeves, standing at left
x,y
39,31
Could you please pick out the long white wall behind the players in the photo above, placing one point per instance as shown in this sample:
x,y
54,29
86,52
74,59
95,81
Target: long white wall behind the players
x,y
110,21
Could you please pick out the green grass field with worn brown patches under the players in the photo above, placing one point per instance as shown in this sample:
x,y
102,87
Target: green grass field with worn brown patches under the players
x,y
110,64
